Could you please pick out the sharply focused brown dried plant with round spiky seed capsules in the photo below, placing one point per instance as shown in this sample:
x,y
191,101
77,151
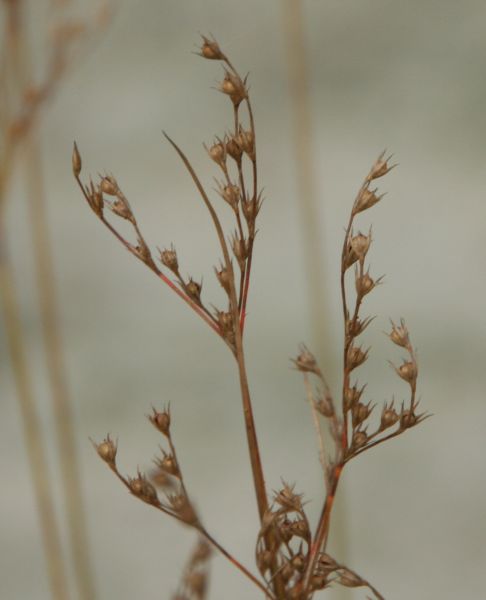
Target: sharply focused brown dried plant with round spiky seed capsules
x,y
290,556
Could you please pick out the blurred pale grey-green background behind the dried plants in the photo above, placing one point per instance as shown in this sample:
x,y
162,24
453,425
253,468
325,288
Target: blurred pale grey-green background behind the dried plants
x,y
406,76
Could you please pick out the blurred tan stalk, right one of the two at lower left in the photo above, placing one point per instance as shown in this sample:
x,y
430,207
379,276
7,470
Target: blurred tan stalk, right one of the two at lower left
x,y
63,417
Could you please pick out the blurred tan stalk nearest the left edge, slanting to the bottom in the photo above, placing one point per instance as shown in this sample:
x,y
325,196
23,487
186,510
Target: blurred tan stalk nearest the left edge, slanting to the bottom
x,y
35,448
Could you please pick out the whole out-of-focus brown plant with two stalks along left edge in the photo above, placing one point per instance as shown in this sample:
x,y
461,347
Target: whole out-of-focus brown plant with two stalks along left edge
x,y
20,110
